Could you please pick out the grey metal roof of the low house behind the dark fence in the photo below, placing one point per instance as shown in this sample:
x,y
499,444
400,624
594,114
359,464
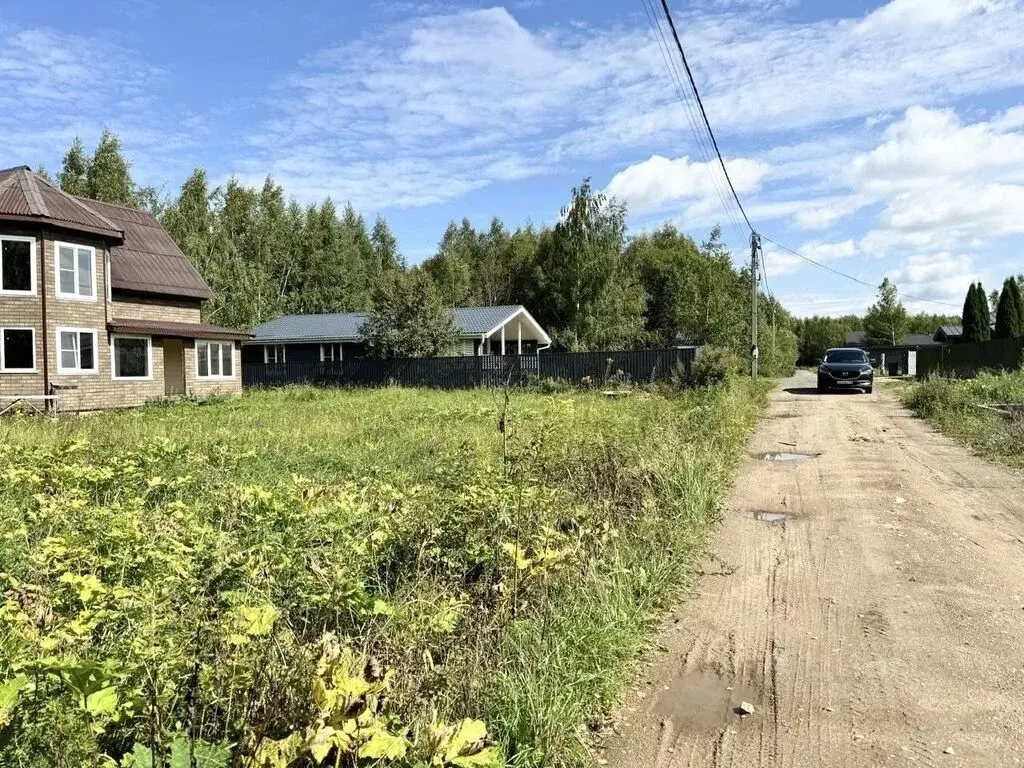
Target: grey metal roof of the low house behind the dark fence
x,y
346,327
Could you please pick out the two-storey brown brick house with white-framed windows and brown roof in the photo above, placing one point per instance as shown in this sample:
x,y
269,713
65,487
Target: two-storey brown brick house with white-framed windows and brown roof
x,y
100,307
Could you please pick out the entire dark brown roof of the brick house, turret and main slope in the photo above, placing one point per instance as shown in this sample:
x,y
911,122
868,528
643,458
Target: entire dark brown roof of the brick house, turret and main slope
x,y
144,258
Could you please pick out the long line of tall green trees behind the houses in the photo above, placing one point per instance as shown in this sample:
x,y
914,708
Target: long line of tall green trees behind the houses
x,y
585,280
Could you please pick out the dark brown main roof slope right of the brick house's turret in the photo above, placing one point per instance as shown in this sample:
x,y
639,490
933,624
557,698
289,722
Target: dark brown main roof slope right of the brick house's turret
x,y
150,262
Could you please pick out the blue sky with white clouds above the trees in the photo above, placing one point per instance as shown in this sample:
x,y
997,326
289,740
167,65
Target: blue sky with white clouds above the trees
x,y
881,139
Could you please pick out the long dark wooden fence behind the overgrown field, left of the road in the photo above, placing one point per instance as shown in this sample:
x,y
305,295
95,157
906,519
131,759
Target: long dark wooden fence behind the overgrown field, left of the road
x,y
598,369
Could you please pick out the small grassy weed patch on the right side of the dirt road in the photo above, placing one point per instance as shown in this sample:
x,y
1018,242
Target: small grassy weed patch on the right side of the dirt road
x,y
956,407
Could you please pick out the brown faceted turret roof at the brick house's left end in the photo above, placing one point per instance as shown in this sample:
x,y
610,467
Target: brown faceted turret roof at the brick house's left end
x,y
29,197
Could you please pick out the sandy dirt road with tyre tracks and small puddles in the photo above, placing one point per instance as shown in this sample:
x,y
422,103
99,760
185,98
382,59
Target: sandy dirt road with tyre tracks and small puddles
x,y
868,602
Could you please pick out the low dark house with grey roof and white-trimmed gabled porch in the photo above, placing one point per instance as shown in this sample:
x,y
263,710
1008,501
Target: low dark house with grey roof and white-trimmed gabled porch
x,y
321,338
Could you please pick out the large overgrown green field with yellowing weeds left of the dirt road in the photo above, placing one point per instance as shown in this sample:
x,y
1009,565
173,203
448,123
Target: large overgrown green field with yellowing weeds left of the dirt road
x,y
408,578
